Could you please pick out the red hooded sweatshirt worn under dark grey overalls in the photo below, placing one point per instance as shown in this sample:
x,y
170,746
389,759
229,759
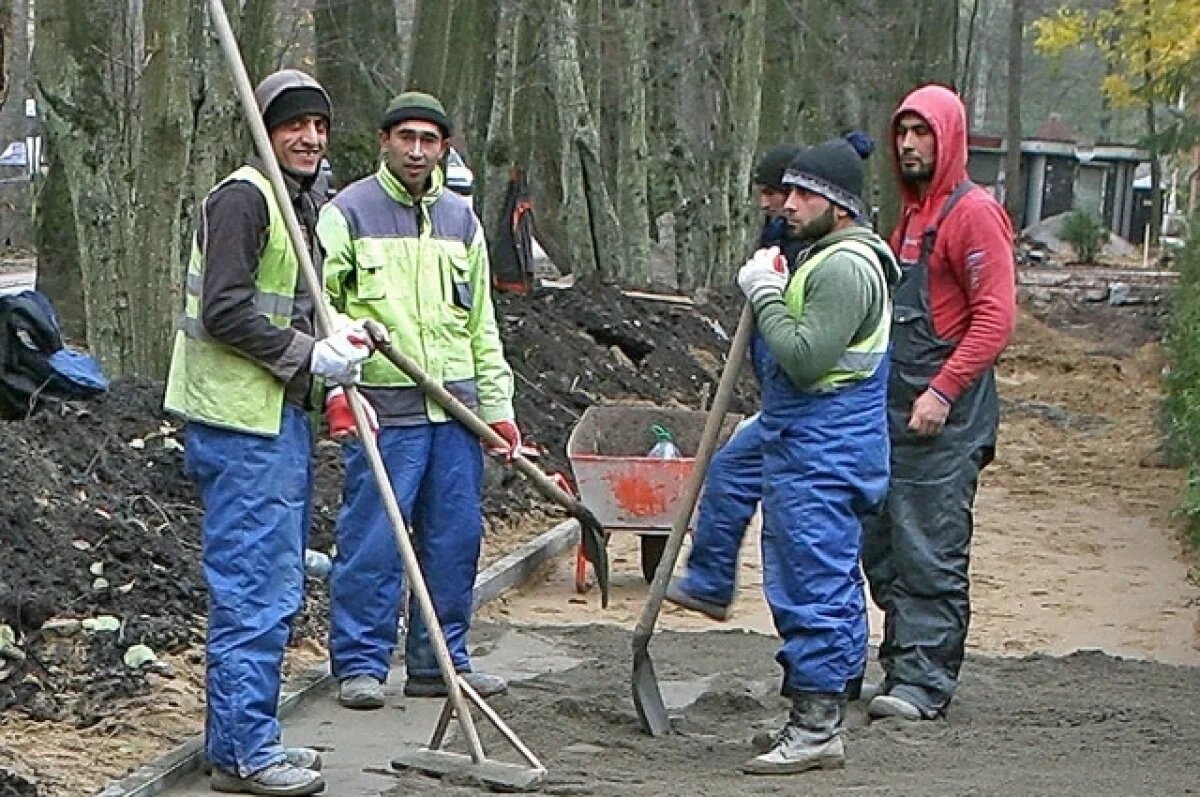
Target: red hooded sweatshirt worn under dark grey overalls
x,y
973,284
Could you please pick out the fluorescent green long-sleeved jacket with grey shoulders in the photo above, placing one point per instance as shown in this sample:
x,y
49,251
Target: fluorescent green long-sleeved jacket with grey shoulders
x,y
419,268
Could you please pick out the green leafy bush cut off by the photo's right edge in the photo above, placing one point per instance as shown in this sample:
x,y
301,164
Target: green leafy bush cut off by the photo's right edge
x,y
1183,346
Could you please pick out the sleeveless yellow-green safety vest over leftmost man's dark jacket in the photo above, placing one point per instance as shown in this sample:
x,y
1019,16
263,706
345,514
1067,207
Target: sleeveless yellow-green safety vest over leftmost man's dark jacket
x,y
211,382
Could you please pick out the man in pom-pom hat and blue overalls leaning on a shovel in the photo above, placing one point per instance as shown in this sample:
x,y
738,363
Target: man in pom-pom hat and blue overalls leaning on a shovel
x,y
820,353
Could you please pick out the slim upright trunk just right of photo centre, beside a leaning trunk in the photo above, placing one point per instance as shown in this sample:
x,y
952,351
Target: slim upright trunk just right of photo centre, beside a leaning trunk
x,y
634,149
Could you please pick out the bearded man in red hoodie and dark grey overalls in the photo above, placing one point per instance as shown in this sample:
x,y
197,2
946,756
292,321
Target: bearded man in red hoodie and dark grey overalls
x,y
955,313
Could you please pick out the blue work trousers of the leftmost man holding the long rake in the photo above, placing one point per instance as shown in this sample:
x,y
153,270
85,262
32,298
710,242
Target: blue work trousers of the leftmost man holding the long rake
x,y
256,494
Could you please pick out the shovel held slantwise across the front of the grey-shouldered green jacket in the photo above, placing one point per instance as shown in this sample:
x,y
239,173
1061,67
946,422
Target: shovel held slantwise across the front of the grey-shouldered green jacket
x,y
592,532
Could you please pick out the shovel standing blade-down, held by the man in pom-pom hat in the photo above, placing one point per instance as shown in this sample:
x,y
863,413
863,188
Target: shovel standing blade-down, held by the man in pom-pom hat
x,y
647,696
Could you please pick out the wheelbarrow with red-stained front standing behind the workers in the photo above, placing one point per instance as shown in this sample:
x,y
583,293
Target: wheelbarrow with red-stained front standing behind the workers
x,y
627,490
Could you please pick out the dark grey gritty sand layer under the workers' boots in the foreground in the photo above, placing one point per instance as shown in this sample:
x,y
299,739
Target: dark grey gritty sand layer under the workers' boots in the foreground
x,y
1088,724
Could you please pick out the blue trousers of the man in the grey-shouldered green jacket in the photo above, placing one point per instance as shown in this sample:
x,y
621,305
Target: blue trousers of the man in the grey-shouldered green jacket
x,y
436,472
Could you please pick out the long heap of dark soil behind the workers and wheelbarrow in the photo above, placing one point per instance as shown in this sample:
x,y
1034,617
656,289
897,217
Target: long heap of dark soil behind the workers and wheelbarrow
x,y
98,518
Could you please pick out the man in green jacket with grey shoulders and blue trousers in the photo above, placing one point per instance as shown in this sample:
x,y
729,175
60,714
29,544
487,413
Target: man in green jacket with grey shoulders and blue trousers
x,y
409,254
